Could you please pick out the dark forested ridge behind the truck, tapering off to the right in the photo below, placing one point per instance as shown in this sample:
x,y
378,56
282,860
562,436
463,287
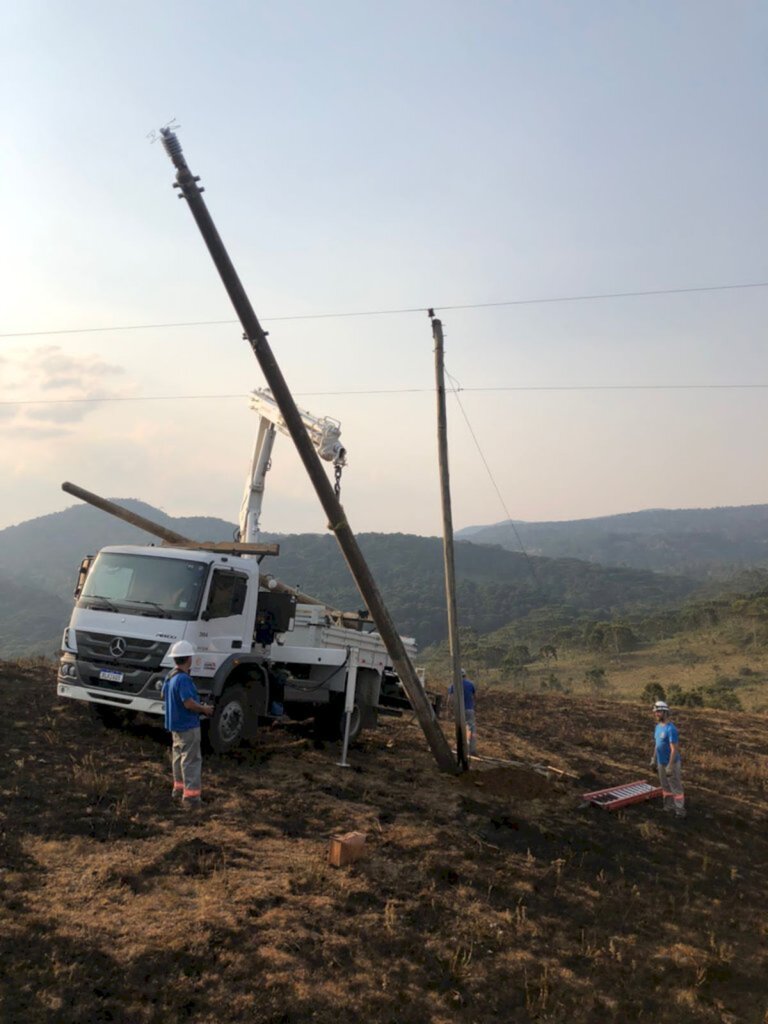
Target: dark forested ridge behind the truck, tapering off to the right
x,y
495,587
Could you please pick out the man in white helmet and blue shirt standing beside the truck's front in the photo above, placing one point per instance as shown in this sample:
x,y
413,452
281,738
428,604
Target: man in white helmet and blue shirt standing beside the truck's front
x,y
183,711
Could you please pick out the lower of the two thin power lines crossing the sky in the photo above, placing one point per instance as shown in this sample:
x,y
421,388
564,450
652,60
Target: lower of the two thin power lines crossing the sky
x,y
398,391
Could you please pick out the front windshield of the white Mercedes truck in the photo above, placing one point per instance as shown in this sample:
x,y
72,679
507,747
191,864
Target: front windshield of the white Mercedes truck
x,y
144,585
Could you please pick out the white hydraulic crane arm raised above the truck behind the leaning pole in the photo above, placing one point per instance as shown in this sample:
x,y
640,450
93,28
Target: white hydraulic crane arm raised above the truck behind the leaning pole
x,y
324,434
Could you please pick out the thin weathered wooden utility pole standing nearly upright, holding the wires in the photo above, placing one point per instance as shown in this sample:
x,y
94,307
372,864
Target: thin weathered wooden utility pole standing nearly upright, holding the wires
x,y
448,548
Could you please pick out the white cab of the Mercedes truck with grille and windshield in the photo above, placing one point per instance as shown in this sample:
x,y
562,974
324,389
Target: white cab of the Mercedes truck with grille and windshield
x,y
136,603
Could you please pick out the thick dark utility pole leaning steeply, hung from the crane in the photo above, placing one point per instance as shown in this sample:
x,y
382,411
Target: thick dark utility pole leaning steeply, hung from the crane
x,y
187,183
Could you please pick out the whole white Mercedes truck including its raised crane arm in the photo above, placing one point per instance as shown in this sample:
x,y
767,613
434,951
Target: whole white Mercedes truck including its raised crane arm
x,y
264,652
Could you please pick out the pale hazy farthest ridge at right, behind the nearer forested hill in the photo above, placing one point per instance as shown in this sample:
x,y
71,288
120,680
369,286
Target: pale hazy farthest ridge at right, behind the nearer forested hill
x,y
694,542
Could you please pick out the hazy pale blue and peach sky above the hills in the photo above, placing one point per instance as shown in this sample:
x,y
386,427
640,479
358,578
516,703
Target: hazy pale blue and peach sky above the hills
x,y
362,157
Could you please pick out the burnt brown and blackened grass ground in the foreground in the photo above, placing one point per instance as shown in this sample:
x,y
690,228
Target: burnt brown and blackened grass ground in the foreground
x,y
487,898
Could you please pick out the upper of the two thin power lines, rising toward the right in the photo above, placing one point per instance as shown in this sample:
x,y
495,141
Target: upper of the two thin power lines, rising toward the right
x,y
389,313
